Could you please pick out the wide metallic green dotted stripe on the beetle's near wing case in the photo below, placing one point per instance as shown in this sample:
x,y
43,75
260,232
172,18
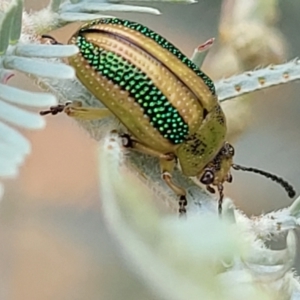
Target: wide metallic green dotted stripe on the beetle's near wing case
x,y
162,114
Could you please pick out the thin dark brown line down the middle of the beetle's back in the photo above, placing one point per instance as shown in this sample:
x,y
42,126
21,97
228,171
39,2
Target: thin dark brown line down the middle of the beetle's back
x,y
131,43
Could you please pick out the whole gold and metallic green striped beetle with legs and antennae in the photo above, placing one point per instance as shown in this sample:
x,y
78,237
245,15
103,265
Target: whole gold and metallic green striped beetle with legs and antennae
x,y
167,104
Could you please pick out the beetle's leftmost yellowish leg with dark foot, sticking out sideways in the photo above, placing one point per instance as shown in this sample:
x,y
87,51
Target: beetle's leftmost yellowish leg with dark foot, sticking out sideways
x,y
75,109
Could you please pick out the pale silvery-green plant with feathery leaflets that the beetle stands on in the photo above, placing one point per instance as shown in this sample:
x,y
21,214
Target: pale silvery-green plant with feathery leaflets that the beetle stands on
x,y
202,257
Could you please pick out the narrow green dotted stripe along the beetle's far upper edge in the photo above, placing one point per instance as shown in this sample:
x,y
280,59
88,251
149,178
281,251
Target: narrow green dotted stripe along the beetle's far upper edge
x,y
162,42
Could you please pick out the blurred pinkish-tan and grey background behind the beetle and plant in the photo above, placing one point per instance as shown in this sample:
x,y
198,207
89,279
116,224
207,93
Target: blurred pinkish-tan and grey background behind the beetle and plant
x,y
54,244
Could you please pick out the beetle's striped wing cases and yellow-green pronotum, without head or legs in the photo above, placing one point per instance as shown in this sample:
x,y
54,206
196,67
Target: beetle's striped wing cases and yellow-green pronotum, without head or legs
x,y
160,96
